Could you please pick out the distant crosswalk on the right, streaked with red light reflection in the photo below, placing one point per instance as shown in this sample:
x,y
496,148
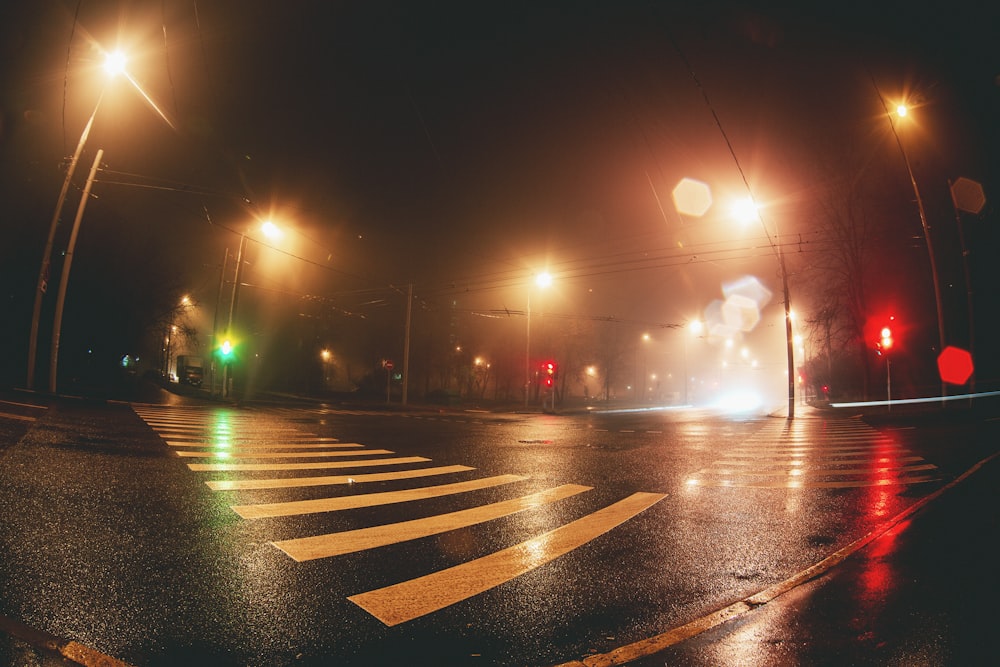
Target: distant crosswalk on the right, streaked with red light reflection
x,y
816,453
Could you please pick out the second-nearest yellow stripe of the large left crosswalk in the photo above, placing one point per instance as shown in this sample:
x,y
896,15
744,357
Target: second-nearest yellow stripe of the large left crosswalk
x,y
336,544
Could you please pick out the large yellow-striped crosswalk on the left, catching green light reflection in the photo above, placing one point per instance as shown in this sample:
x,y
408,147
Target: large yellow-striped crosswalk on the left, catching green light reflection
x,y
222,440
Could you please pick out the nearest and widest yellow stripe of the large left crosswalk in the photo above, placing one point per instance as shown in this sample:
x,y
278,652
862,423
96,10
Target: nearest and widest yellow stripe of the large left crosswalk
x,y
412,599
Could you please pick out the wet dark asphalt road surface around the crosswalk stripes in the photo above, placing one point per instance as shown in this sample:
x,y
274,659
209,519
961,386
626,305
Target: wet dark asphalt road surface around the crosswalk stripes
x,y
113,540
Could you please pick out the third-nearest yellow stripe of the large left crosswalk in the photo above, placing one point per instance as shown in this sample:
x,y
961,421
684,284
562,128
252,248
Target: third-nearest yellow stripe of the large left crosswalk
x,y
269,510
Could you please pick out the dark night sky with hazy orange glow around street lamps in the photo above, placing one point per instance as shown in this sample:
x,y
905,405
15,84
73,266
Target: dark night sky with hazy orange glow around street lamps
x,y
462,146
